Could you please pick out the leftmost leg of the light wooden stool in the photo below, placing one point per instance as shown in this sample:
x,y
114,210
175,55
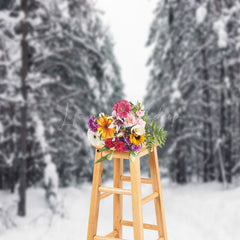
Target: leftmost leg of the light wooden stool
x,y
95,197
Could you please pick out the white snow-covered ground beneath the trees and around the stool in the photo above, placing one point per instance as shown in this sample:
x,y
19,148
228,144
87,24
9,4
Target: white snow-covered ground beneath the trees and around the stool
x,y
193,212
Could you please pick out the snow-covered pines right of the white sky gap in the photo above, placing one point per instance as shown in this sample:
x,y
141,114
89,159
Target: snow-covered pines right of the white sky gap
x,y
195,79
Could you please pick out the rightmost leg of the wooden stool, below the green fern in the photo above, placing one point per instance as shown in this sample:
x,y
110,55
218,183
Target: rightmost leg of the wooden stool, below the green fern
x,y
156,184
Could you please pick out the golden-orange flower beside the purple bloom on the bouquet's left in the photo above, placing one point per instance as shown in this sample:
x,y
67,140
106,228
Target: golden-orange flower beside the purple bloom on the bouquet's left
x,y
103,129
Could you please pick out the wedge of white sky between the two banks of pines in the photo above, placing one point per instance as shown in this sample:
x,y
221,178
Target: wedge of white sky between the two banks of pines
x,y
129,22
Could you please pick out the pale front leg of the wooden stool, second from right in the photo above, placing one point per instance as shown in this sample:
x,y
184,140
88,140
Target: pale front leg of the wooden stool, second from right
x,y
136,199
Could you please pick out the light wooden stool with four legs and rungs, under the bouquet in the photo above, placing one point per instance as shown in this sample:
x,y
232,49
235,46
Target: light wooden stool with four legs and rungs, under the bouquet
x,y
100,192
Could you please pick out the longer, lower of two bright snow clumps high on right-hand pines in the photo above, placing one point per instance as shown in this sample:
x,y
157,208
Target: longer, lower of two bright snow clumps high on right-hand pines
x,y
219,27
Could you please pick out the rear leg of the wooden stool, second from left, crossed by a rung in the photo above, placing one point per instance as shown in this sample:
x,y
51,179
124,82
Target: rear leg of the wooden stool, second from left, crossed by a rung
x,y
117,198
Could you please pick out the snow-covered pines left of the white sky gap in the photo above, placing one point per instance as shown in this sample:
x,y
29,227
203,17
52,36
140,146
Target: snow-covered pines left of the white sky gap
x,y
70,72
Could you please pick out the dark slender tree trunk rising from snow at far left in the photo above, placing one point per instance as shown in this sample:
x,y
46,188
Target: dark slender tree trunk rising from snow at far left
x,y
24,45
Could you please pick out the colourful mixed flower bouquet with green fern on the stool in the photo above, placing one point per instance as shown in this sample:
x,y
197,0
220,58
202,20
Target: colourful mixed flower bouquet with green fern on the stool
x,y
126,130
